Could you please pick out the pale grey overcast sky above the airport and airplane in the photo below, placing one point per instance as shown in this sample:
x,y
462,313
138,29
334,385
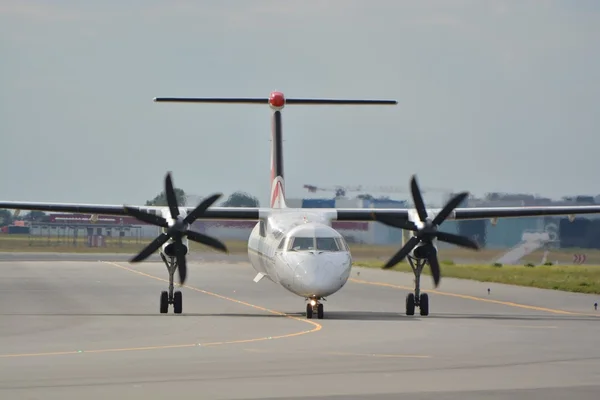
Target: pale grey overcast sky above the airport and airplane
x,y
493,96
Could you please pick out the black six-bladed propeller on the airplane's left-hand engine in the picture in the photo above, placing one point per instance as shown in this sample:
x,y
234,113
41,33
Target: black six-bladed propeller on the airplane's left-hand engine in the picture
x,y
177,229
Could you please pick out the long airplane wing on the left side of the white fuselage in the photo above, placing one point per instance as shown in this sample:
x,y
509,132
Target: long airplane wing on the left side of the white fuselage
x,y
245,213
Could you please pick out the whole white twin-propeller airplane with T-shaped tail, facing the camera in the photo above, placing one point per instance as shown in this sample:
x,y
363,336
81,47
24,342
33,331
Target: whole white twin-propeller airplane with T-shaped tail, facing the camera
x,y
297,247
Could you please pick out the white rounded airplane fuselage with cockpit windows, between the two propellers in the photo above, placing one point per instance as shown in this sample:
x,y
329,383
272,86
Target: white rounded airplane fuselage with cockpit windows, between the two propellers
x,y
300,251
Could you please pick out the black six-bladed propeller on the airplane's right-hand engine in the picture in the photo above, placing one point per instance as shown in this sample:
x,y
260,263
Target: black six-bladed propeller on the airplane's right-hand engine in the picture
x,y
424,236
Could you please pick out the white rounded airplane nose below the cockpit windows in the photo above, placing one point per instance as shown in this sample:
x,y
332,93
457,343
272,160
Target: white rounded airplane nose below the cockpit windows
x,y
319,274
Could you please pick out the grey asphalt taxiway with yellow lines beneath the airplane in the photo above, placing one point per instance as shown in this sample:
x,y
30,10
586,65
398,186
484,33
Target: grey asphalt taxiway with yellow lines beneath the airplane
x,y
78,326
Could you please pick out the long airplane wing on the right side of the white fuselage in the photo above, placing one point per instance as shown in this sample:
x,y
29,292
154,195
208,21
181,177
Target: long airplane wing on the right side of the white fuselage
x,y
369,214
